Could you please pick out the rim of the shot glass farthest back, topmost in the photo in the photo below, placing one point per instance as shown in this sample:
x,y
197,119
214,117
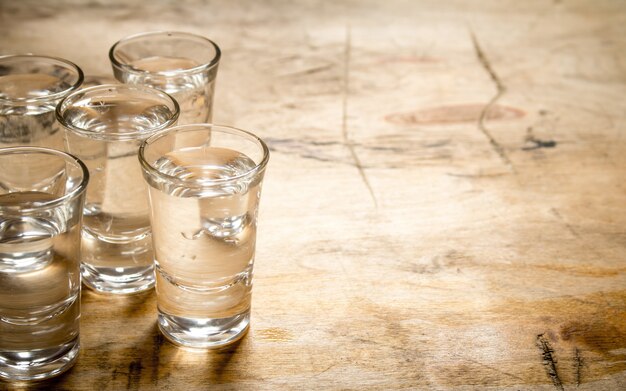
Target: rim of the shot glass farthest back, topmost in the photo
x,y
197,69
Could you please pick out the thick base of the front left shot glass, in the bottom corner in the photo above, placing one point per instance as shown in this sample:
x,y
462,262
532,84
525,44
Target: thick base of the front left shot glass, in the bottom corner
x,y
38,364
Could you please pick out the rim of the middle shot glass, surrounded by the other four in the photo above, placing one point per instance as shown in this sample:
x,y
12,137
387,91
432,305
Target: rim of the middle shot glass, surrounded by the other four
x,y
65,103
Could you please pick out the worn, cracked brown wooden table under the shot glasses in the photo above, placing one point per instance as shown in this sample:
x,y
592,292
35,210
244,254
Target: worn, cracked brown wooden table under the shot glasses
x,y
444,206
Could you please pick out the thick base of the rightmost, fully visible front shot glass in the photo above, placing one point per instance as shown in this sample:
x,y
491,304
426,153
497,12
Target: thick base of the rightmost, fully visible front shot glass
x,y
203,332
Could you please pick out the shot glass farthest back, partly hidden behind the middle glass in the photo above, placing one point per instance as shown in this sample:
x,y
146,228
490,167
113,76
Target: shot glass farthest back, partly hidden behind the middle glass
x,y
183,65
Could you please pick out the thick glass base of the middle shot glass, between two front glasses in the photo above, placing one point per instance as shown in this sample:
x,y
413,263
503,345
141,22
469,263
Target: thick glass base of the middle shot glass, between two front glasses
x,y
118,280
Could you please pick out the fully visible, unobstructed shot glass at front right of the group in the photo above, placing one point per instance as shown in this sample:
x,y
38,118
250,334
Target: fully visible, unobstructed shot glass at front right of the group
x,y
204,185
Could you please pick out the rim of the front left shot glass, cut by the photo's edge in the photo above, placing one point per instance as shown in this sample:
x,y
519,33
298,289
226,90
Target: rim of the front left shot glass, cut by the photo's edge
x,y
80,188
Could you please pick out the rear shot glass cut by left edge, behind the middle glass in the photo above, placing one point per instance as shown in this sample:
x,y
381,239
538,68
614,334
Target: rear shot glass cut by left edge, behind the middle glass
x,y
30,88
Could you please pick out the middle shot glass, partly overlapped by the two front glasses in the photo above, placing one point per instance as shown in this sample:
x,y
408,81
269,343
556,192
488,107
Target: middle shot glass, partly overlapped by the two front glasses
x,y
104,126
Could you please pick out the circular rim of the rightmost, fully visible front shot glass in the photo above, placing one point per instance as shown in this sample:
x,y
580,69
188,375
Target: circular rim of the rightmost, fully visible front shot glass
x,y
203,183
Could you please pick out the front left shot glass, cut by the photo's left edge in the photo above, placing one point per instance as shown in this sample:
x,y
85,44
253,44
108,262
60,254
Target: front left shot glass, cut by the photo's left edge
x,y
41,201
